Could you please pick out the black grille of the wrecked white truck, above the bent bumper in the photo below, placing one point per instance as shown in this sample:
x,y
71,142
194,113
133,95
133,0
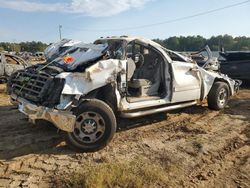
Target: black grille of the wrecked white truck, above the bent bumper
x,y
30,85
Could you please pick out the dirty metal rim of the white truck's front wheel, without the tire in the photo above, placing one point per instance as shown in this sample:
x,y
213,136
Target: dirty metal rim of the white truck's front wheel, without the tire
x,y
89,128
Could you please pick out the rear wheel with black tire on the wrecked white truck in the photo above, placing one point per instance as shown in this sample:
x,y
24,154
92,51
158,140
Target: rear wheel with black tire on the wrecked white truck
x,y
218,96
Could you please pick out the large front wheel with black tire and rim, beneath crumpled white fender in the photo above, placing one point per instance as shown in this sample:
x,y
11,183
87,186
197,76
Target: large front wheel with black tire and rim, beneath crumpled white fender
x,y
92,116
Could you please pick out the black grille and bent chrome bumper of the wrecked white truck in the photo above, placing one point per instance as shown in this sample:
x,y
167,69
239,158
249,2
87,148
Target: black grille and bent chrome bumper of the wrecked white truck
x,y
38,93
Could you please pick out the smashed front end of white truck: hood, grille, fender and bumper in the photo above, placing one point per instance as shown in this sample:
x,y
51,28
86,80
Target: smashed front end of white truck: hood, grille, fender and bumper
x,y
48,91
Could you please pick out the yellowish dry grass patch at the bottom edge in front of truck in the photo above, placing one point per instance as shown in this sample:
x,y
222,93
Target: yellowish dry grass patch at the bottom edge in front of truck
x,y
137,173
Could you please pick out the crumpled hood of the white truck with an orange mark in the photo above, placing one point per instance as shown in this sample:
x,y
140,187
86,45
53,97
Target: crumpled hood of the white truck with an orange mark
x,y
80,54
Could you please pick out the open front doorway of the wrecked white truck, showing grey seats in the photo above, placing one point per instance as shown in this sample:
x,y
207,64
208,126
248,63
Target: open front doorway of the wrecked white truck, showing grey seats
x,y
145,73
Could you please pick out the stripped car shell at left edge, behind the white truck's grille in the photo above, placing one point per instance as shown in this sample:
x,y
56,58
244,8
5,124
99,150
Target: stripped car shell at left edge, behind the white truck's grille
x,y
9,64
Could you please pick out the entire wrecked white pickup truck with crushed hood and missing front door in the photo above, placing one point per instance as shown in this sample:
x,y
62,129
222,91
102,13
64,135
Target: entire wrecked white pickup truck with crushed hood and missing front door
x,y
83,87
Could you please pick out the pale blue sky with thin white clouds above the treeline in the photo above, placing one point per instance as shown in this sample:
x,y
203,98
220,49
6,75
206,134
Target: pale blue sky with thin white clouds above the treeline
x,y
87,20
